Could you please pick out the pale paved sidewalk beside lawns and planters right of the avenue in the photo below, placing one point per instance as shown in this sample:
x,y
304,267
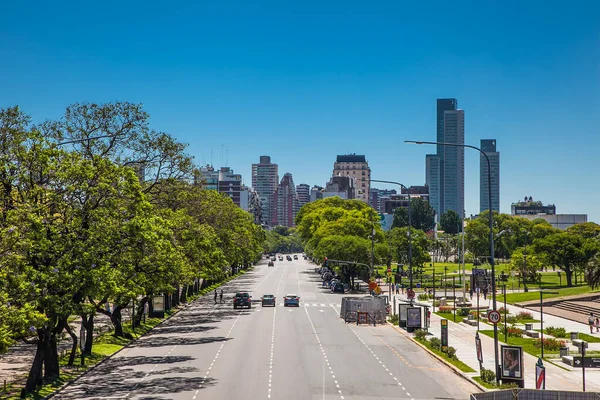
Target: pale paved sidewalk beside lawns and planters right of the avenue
x,y
462,338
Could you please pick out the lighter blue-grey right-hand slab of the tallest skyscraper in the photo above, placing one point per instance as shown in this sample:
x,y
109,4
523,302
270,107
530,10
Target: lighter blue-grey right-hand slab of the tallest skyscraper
x,y
453,164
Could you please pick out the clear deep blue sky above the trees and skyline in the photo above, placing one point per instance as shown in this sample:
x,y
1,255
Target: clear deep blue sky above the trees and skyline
x,y
303,81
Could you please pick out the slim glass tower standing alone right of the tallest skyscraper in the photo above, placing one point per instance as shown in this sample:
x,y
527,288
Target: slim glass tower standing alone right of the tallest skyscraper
x,y
489,148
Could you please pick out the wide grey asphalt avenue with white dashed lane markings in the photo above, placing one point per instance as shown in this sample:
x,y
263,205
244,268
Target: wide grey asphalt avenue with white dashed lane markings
x,y
210,351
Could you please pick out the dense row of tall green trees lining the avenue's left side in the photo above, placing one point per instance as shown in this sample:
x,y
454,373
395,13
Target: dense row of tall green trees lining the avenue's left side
x,y
97,208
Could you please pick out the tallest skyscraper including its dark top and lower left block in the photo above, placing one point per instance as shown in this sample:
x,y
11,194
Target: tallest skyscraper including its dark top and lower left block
x,y
445,170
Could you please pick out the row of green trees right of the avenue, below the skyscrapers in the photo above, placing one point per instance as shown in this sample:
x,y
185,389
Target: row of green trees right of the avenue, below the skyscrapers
x,y
341,230
